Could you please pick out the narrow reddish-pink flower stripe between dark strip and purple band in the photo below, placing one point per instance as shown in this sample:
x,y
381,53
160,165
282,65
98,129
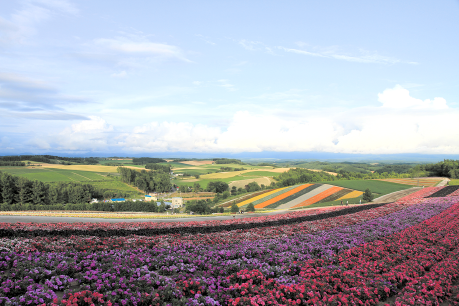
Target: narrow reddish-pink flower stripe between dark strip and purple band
x,y
94,243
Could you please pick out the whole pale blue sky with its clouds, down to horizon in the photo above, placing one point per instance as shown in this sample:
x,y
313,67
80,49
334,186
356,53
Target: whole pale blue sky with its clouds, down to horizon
x,y
142,77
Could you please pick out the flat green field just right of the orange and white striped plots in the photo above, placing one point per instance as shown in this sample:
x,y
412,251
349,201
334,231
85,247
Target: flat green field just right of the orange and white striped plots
x,y
379,187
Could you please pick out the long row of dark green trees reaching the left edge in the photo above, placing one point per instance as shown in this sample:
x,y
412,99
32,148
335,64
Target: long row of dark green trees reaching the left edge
x,y
22,191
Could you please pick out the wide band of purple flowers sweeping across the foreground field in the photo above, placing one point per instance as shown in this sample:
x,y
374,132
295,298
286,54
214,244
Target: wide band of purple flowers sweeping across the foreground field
x,y
192,275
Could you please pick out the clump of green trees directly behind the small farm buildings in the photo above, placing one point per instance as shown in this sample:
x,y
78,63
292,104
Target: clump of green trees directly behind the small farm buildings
x,y
158,181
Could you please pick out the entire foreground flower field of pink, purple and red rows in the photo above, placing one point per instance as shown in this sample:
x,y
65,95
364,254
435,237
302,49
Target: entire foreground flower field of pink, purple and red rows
x,y
401,253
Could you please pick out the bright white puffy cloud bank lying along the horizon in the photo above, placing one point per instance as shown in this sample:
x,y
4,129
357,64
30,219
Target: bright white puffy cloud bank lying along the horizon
x,y
399,124
